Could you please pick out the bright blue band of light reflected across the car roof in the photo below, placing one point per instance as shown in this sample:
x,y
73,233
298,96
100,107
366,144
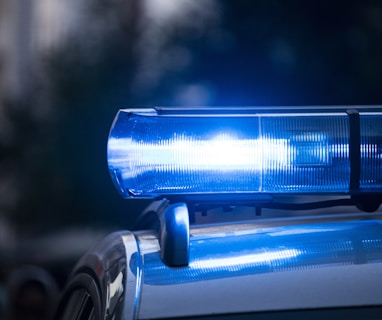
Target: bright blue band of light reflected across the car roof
x,y
270,250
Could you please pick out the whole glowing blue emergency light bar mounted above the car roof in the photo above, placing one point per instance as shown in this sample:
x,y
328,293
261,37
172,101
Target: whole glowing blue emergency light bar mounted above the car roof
x,y
166,152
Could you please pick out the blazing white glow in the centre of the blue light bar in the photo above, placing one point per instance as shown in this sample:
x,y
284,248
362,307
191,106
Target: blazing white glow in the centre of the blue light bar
x,y
223,152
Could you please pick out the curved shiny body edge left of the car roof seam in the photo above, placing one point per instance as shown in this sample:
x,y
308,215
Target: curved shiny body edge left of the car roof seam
x,y
108,264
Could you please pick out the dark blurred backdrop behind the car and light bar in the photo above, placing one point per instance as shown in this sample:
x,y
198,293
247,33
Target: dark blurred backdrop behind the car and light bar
x,y
66,67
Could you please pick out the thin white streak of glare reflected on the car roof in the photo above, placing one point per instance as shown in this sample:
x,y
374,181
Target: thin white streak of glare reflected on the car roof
x,y
243,260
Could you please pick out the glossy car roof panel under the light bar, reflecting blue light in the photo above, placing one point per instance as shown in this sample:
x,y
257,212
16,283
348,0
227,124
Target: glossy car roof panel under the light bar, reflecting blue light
x,y
248,268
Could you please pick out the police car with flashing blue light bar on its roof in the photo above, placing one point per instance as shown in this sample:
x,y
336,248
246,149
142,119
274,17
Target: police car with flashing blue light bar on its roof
x,y
256,213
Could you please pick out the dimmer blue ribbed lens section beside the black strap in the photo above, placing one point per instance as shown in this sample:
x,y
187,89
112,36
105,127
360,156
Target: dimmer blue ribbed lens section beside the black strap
x,y
318,153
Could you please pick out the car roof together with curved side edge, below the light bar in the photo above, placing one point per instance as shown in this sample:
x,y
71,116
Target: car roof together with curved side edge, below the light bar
x,y
242,268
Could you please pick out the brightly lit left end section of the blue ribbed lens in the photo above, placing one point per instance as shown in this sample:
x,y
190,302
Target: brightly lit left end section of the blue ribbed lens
x,y
186,154
